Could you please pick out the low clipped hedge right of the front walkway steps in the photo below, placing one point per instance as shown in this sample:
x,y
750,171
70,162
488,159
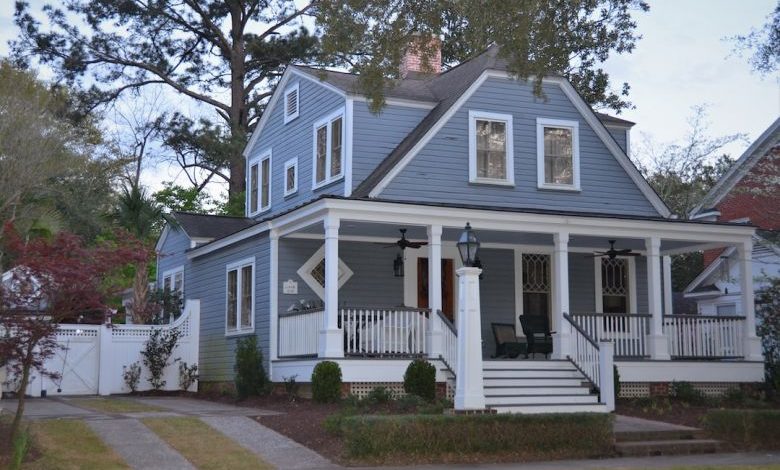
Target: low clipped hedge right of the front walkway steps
x,y
748,429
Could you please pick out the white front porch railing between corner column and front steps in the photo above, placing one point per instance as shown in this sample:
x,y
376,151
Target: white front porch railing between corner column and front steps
x,y
384,331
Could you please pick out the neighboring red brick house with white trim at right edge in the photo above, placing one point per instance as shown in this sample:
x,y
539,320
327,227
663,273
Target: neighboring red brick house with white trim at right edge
x,y
747,193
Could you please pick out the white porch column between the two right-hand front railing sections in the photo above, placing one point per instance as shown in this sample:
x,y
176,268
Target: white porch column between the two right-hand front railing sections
x,y
656,341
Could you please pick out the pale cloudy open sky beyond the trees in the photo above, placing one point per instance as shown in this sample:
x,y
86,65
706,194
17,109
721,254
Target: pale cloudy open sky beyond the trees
x,y
682,60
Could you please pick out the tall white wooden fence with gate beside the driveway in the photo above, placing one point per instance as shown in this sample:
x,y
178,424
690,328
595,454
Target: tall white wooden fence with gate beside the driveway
x,y
92,357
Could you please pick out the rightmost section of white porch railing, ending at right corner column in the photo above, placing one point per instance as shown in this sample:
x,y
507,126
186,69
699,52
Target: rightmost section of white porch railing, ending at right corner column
x,y
705,337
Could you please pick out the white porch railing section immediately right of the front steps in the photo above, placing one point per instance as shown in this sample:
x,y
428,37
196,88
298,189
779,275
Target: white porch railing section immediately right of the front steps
x,y
627,331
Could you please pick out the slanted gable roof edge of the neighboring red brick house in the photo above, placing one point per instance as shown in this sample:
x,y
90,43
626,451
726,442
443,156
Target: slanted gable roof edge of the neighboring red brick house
x,y
768,139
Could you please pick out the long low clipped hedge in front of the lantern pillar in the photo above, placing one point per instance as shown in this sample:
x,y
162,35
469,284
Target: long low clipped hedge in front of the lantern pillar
x,y
463,438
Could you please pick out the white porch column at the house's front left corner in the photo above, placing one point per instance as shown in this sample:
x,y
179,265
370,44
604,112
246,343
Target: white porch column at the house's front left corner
x,y
331,338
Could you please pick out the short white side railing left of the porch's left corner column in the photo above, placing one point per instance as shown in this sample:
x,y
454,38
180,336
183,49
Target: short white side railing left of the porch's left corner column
x,y
299,333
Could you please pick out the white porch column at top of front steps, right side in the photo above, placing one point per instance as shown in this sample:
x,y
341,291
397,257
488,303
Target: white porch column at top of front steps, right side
x,y
560,300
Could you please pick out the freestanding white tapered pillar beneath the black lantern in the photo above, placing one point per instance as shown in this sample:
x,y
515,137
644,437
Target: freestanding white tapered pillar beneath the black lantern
x,y
469,392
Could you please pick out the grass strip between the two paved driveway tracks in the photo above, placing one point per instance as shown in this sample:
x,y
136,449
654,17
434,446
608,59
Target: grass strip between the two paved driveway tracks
x,y
204,446
